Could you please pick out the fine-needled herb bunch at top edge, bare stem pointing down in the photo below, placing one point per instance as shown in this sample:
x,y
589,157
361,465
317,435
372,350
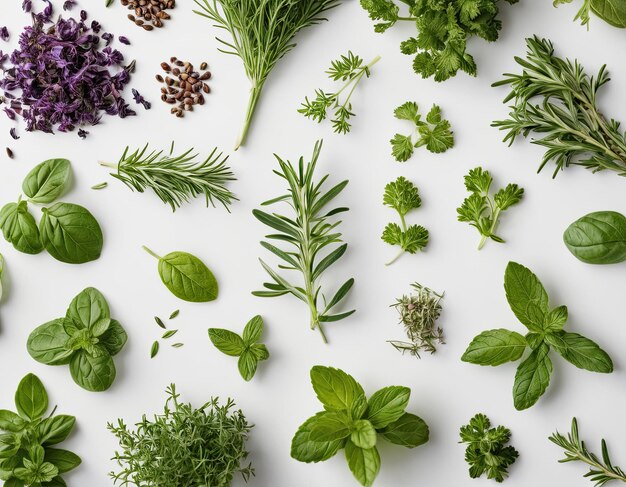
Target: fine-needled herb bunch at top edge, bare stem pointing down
x,y
262,32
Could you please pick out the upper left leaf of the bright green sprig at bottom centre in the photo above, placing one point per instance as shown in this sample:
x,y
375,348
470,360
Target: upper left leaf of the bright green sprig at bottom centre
x,y
334,388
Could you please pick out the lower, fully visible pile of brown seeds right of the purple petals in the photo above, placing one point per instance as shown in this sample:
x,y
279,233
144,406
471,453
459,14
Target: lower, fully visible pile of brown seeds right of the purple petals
x,y
184,86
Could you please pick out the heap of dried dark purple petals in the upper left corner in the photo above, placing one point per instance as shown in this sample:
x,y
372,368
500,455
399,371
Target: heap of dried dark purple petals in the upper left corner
x,y
64,74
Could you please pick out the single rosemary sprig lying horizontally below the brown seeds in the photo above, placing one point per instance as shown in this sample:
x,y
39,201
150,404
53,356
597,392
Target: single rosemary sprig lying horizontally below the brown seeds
x,y
176,179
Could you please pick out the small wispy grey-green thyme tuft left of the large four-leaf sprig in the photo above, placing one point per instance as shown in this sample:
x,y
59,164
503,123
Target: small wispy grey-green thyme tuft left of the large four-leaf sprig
x,y
419,313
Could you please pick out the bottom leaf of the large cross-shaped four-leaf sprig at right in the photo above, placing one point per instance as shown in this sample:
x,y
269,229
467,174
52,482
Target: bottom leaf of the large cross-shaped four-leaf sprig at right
x,y
532,378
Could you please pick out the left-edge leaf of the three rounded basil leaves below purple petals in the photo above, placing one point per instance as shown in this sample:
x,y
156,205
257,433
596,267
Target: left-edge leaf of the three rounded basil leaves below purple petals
x,y
19,228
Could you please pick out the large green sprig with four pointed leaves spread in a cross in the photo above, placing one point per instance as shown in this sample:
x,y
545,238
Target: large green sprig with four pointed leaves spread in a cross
x,y
529,302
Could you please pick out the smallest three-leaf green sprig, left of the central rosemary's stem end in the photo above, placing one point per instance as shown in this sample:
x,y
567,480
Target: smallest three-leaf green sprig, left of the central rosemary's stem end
x,y
246,347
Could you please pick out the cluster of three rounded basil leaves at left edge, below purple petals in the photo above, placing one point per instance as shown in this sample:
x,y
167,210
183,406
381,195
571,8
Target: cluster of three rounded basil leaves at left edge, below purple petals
x,y
69,232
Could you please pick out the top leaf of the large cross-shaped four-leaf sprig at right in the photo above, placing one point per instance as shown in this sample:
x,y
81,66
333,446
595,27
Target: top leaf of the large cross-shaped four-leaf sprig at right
x,y
526,296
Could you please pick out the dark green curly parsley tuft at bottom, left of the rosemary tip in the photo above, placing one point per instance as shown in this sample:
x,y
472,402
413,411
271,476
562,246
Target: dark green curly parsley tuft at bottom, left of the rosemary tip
x,y
487,450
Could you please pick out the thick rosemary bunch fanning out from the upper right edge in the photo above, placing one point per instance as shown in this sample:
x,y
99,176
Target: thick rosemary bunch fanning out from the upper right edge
x,y
576,132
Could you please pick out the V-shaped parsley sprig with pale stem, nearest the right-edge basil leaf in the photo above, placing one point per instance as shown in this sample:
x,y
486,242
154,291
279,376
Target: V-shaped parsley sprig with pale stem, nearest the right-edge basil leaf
x,y
483,211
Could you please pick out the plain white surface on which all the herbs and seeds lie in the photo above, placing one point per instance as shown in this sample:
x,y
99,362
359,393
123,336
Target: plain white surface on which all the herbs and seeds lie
x,y
445,391
